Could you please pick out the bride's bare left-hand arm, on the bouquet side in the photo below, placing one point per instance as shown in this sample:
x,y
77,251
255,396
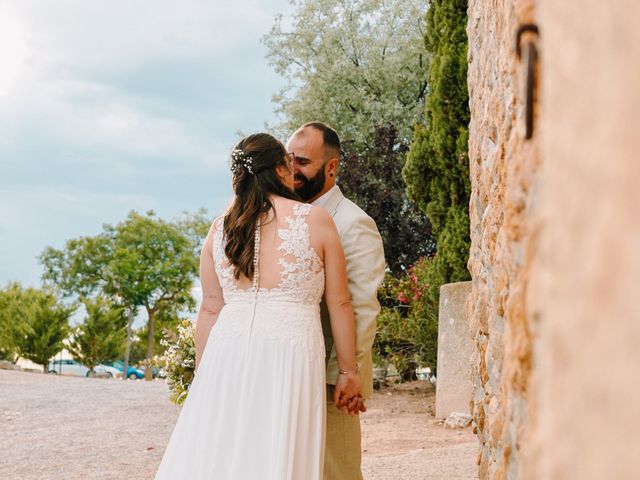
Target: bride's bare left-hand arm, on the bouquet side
x,y
212,300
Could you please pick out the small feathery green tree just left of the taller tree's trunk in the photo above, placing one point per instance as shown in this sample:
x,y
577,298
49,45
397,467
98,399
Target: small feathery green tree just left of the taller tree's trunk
x,y
101,337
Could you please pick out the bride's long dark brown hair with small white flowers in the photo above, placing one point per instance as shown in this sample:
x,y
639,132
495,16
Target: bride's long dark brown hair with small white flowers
x,y
253,162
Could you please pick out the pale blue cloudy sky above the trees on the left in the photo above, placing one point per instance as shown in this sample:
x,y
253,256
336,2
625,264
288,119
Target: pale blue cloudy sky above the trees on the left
x,y
119,105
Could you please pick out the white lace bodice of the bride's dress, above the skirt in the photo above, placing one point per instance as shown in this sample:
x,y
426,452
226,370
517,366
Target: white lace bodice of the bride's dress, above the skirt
x,y
301,277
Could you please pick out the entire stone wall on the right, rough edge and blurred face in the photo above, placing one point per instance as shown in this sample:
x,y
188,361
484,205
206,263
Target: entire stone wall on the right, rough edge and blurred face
x,y
555,229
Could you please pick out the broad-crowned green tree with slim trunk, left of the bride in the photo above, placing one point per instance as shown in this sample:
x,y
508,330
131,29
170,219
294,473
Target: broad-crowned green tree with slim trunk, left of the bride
x,y
142,262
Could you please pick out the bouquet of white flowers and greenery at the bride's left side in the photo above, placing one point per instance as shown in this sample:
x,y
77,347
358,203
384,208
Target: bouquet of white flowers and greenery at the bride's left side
x,y
179,360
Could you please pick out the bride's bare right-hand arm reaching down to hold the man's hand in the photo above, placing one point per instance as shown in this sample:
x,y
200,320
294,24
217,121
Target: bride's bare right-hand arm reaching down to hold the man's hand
x,y
338,300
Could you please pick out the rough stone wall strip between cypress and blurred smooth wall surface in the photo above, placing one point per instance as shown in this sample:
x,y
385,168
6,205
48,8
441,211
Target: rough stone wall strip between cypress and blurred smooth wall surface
x,y
504,168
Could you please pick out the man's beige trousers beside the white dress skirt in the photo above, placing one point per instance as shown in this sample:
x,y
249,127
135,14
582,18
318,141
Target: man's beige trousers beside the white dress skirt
x,y
343,445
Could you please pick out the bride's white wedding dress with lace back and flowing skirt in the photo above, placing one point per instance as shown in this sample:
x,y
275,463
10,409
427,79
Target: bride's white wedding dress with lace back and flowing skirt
x,y
256,408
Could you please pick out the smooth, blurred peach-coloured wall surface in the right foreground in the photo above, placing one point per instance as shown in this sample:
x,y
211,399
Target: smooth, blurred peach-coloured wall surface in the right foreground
x,y
584,287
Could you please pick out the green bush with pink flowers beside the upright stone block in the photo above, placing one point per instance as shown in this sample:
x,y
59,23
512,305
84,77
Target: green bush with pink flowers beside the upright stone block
x,y
407,333
